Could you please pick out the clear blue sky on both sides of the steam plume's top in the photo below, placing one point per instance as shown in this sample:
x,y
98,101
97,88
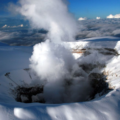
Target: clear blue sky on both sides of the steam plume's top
x,y
82,8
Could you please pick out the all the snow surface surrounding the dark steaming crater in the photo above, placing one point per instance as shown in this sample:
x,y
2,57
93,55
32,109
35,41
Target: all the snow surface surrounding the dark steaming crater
x,y
15,59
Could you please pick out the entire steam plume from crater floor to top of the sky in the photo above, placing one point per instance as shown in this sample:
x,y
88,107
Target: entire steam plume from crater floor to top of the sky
x,y
52,61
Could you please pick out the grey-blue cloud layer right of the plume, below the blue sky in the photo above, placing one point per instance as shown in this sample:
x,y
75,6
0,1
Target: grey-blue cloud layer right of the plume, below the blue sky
x,y
99,28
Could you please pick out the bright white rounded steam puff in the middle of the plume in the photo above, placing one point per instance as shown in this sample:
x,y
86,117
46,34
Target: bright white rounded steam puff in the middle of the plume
x,y
51,61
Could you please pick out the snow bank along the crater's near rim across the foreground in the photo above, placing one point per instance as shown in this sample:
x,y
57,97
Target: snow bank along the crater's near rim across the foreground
x,y
105,108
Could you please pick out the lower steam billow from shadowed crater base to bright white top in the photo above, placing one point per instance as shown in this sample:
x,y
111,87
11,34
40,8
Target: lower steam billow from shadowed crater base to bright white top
x,y
55,66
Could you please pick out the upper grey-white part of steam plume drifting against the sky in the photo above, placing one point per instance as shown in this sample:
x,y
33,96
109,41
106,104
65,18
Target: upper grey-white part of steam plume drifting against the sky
x,y
51,15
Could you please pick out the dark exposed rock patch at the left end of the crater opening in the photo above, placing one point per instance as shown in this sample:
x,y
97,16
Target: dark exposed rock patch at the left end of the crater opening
x,y
29,94
